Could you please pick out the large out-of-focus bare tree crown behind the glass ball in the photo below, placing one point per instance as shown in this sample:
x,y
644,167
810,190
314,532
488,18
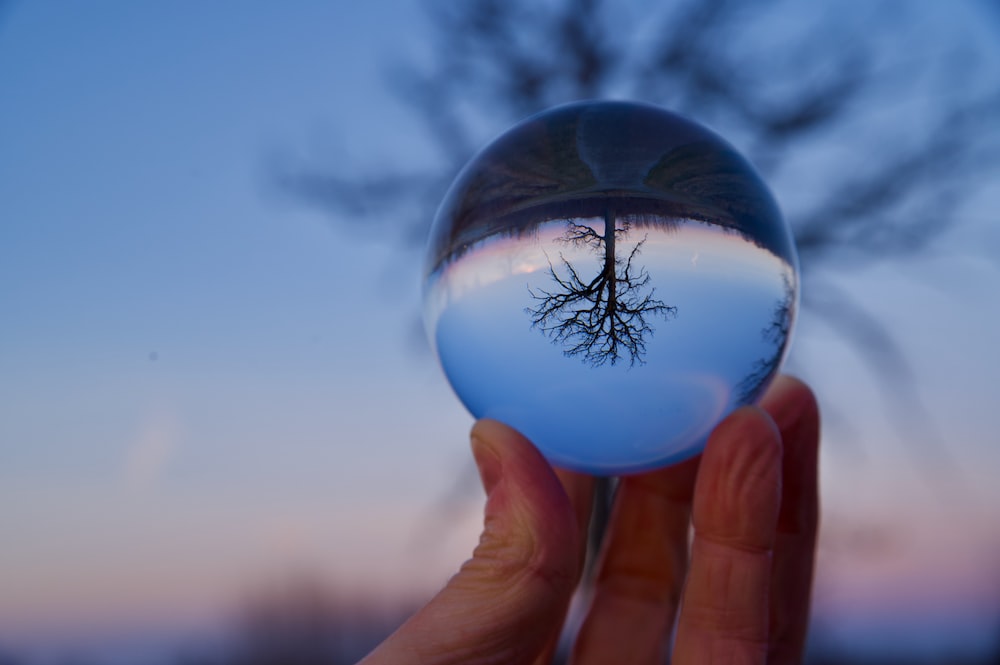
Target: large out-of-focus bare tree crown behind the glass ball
x,y
870,148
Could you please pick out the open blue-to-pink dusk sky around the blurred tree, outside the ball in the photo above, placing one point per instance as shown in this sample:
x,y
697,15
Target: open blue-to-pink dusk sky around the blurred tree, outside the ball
x,y
205,387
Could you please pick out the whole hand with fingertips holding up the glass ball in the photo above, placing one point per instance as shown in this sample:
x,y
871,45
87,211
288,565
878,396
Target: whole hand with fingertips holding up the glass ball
x,y
737,592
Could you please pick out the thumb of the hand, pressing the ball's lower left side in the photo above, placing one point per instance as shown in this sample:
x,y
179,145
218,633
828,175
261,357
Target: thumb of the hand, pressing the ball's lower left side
x,y
507,601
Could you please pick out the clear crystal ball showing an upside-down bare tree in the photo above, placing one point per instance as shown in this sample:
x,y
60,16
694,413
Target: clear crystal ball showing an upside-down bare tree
x,y
611,280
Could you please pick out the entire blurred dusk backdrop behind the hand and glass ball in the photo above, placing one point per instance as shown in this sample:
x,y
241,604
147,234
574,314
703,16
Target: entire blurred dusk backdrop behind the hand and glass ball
x,y
223,439
